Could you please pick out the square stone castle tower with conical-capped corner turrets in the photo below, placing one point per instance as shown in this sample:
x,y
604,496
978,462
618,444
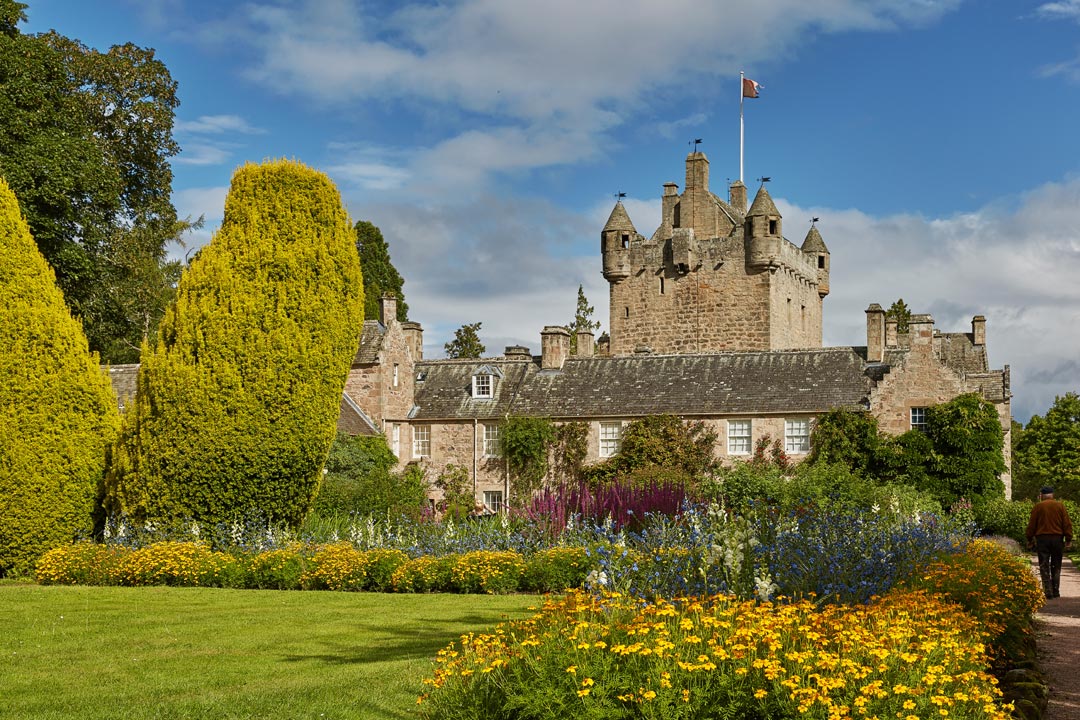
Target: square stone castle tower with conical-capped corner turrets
x,y
714,276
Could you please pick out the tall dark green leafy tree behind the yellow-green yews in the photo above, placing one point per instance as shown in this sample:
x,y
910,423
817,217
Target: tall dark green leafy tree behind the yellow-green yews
x,y
86,138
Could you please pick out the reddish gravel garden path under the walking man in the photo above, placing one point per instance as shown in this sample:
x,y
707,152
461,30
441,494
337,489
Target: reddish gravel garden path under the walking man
x,y
1058,629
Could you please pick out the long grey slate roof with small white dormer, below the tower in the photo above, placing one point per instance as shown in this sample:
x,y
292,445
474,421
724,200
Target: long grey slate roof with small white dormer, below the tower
x,y
709,385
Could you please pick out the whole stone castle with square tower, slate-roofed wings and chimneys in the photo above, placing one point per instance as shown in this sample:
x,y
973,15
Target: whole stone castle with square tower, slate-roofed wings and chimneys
x,y
717,317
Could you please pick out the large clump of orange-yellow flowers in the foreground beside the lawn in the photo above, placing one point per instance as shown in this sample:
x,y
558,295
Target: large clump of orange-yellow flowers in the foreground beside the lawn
x,y
908,656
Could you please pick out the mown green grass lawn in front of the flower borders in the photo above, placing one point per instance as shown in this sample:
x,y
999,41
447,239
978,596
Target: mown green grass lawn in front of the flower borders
x,y
179,653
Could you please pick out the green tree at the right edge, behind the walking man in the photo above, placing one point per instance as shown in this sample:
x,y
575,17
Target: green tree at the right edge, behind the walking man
x,y
1048,452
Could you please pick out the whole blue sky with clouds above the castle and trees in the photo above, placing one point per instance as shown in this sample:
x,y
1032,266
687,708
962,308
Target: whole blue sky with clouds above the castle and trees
x,y
936,140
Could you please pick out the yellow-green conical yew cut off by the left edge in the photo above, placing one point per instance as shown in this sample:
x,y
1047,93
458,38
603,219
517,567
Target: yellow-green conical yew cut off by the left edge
x,y
60,414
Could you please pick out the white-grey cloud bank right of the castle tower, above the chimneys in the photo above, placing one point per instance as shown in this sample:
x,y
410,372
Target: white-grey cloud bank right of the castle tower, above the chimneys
x,y
1016,265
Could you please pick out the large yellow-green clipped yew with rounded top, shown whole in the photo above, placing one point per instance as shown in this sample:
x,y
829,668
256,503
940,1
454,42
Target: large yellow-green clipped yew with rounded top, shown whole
x,y
237,404
